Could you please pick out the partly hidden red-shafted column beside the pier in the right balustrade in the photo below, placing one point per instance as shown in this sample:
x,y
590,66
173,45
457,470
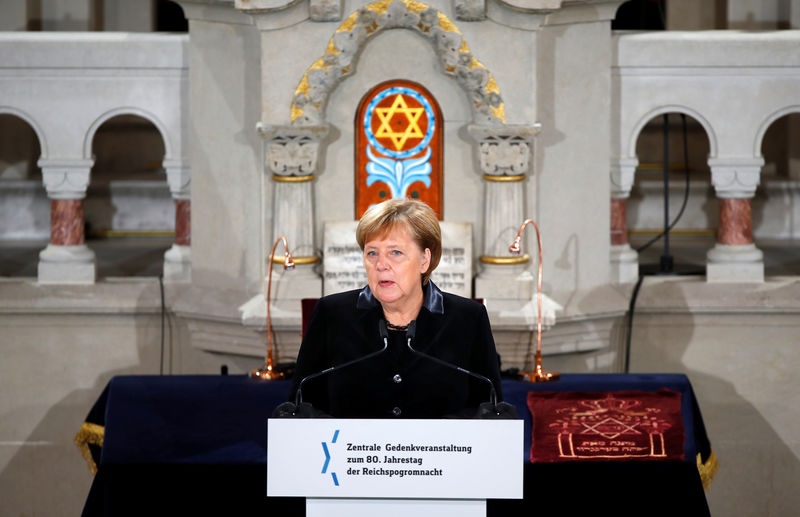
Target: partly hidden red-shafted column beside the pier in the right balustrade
x,y
624,260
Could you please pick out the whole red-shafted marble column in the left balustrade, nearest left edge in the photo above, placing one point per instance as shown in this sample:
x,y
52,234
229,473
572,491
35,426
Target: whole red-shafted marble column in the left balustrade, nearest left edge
x,y
66,259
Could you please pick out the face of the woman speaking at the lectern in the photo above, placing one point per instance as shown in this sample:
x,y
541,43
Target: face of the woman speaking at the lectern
x,y
394,264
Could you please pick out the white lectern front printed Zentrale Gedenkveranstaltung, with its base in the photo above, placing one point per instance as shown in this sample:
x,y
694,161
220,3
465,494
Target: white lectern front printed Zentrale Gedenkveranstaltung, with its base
x,y
366,467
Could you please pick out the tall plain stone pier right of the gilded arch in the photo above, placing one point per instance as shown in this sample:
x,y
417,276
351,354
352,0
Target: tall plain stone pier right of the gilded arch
x,y
574,65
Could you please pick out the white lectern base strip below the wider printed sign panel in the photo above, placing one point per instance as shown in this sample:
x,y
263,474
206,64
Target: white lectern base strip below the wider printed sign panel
x,y
330,507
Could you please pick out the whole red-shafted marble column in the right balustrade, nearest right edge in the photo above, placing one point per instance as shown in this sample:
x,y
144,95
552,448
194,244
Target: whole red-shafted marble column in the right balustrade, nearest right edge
x,y
735,257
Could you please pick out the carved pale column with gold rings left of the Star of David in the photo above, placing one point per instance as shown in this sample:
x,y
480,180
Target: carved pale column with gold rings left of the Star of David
x,y
291,158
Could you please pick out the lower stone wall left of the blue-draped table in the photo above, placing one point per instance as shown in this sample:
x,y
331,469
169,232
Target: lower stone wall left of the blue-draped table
x,y
60,346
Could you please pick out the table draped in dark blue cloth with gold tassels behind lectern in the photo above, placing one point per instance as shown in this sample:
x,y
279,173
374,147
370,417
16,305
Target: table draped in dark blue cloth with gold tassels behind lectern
x,y
197,444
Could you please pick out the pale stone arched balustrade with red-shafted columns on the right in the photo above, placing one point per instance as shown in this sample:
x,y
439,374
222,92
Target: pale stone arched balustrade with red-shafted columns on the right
x,y
735,85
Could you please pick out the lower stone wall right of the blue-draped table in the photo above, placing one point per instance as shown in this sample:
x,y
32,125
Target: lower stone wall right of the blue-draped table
x,y
740,357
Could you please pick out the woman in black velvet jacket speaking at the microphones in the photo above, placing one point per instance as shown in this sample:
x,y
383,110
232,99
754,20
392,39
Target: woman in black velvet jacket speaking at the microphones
x,y
401,243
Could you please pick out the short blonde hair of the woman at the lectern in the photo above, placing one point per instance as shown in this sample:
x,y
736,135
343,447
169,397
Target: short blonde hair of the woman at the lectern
x,y
415,216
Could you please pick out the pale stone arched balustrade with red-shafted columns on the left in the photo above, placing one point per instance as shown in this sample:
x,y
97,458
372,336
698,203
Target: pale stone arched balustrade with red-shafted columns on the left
x,y
65,86
